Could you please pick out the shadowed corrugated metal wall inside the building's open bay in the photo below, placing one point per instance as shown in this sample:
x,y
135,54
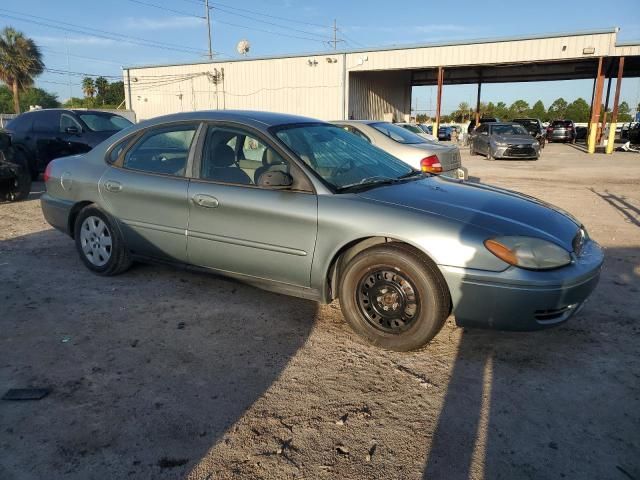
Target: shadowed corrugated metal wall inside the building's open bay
x,y
374,94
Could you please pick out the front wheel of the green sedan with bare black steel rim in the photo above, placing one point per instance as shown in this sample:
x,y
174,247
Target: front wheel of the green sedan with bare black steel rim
x,y
372,282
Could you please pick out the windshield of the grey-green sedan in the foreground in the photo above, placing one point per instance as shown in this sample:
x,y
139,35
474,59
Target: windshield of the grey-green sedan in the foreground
x,y
341,159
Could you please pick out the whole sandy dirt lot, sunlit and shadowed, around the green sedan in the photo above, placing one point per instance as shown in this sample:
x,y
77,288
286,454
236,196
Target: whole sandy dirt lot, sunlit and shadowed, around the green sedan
x,y
169,374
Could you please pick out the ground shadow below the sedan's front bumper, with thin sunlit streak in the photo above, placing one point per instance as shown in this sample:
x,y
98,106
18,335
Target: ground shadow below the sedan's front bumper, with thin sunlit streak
x,y
531,409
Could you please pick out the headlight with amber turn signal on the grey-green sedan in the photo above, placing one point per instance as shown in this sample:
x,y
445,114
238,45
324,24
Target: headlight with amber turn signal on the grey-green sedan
x,y
528,252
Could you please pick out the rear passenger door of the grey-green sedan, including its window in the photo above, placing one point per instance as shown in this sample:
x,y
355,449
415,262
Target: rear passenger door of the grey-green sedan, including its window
x,y
146,190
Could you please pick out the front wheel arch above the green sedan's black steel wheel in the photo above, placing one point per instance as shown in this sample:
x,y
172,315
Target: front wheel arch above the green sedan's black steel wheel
x,y
348,251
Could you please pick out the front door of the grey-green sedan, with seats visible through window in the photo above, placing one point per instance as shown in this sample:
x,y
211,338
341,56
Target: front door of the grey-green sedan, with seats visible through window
x,y
239,227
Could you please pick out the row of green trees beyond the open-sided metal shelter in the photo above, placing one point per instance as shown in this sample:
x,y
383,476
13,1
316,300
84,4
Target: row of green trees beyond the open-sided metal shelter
x,y
578,111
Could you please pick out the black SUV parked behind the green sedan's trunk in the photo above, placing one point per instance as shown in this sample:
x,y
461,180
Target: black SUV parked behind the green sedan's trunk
x,y
43,135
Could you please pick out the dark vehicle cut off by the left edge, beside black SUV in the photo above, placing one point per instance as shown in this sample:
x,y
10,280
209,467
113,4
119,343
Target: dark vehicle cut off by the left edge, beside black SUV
x,y
15,180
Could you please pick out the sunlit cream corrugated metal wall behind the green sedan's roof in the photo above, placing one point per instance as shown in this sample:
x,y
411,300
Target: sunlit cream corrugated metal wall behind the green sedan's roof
x,y
299,85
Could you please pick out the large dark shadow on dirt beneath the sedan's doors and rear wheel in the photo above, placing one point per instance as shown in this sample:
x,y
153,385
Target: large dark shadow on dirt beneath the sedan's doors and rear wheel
x,y
148,369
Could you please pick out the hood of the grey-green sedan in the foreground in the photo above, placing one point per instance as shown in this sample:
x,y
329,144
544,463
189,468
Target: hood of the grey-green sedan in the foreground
x,y
495,210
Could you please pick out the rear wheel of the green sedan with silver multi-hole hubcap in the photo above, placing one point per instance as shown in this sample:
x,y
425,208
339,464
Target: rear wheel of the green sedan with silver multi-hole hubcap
x,y
99,242
